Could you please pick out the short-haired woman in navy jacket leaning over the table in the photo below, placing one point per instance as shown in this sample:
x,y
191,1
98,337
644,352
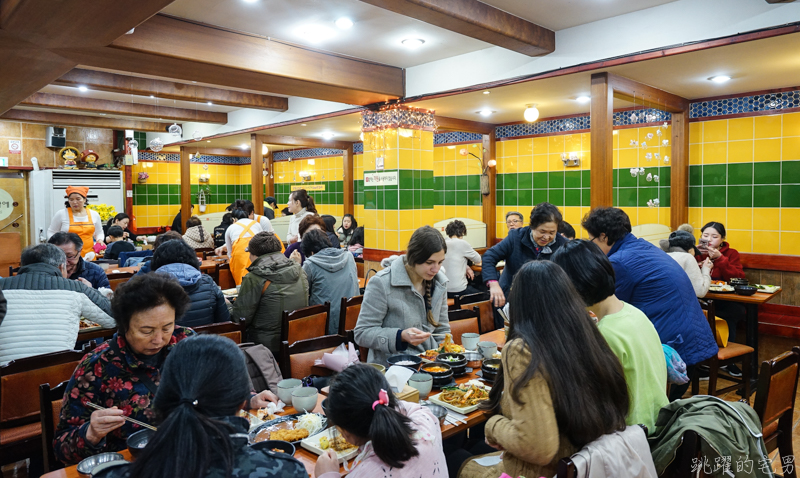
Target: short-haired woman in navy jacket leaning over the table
x,y
534,242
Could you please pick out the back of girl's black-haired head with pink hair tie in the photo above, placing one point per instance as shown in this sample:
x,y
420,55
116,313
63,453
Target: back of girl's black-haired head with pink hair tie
x,y
350,406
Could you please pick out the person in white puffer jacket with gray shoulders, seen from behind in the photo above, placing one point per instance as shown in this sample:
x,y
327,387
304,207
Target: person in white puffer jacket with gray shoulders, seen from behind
x,y
44,308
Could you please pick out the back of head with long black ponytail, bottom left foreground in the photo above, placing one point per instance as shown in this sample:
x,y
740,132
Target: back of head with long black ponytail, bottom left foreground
x,y
203,378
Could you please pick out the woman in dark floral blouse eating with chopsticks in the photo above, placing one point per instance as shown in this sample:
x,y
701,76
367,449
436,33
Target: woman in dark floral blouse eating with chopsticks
x,y
121,376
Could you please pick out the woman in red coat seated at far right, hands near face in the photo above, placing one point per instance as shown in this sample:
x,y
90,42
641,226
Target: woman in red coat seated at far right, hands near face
x,y
727,266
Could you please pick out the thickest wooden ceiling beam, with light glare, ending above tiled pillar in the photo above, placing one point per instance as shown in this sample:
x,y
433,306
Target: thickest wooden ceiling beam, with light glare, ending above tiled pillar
x,y
176,48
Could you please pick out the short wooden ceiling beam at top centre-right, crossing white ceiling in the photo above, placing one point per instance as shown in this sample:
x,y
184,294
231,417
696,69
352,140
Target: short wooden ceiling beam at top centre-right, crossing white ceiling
x,y
477,20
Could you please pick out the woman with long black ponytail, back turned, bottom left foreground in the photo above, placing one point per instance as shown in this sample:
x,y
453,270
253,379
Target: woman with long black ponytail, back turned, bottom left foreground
x,y
203,384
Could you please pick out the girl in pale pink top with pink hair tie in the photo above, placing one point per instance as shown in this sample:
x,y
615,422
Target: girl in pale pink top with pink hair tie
x,y
395,438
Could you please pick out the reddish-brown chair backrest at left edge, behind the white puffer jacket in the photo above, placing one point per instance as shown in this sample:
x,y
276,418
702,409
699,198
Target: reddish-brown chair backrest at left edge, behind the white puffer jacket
x,y
20,380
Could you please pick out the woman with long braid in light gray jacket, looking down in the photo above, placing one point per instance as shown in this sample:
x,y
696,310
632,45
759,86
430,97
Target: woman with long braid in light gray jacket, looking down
x,y
406,302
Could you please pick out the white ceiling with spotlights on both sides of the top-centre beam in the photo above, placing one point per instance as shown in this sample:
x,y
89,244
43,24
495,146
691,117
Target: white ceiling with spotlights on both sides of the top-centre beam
x,y
377,33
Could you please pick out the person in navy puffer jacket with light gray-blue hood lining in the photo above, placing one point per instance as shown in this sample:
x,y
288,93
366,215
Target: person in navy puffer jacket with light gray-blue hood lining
x,y
207,305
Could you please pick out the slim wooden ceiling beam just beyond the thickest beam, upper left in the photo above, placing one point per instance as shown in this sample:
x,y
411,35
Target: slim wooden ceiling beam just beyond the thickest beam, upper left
x,y
134,85
